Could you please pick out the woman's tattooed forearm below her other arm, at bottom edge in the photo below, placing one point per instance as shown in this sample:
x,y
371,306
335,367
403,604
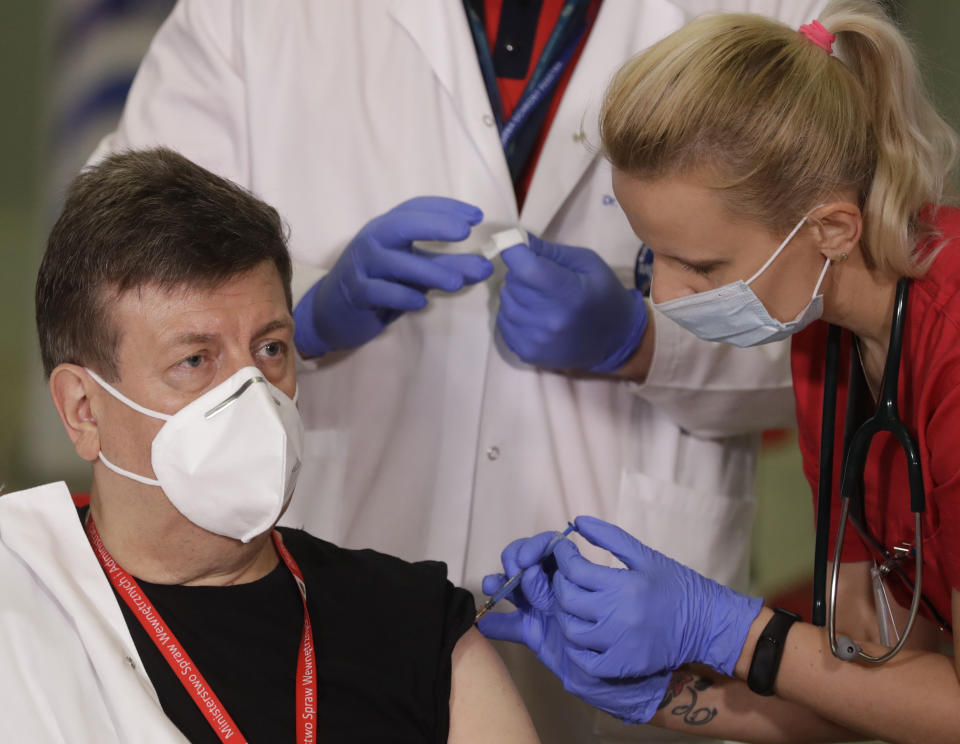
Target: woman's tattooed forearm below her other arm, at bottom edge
x,y
704,703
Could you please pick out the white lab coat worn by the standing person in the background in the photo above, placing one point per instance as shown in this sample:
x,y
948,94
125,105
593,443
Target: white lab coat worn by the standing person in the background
x,y
434,438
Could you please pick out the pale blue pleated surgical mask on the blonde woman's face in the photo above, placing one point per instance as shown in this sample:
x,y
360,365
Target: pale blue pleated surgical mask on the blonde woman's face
x,y
733,314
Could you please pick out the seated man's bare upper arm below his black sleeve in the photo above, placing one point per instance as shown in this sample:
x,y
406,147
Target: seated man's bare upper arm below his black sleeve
x,y
484,704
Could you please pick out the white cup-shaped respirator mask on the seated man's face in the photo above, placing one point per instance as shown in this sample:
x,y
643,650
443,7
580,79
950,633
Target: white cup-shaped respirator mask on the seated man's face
x,y
227,461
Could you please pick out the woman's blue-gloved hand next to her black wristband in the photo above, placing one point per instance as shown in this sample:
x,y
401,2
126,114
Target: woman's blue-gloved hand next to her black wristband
x,y
652,616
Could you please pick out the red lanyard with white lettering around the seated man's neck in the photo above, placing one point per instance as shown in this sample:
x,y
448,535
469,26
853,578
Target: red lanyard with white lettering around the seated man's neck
x,y
175,655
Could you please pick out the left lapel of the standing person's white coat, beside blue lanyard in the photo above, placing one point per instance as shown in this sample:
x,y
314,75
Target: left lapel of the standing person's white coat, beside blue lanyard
x,y
442,33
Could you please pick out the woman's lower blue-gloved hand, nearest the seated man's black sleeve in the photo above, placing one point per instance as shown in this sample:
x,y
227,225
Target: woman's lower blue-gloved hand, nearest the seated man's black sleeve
x,y
535,624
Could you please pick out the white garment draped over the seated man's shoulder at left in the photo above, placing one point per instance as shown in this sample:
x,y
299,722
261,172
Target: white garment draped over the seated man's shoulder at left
x,y
70,672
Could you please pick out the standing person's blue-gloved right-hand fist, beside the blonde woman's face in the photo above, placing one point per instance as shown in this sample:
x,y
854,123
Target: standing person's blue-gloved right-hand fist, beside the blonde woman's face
x,y
562,307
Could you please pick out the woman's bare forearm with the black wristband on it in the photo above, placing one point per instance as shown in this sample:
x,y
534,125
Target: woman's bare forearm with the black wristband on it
x,y
913,698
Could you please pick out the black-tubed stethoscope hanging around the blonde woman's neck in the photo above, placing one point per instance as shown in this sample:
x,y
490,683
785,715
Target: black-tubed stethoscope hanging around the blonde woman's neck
x,y
856,446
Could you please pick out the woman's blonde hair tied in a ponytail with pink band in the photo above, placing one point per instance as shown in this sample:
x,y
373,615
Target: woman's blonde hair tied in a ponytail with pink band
x,y
779,125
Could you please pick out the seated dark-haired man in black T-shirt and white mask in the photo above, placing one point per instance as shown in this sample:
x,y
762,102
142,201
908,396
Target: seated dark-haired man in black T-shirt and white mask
x,y
171,609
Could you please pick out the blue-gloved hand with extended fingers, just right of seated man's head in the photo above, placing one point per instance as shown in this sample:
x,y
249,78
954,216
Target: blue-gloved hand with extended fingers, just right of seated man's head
x,y
380,274
